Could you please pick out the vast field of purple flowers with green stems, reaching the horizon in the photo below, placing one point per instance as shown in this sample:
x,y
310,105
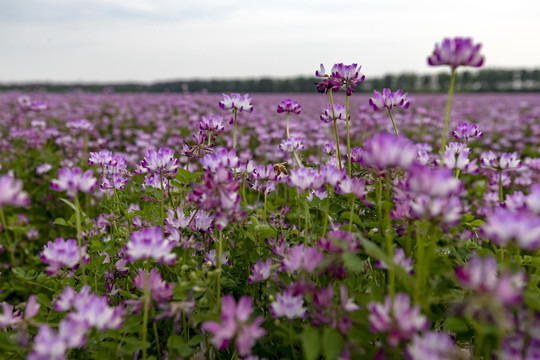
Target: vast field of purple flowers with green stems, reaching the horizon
x,y
335,225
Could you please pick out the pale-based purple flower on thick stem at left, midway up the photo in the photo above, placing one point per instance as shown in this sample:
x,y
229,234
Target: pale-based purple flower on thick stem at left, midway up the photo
x,y
74,180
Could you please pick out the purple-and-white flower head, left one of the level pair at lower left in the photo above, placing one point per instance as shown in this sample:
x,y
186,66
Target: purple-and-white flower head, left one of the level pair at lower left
x,y
62,253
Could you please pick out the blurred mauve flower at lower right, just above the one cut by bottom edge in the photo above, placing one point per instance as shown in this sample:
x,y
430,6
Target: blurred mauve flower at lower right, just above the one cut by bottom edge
x,y
397,318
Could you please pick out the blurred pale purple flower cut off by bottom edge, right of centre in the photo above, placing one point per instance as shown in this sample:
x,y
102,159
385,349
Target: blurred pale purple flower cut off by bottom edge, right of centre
x,y
432,345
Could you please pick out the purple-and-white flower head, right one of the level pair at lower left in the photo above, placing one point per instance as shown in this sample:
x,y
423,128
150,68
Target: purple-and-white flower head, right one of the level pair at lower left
x,y
148,243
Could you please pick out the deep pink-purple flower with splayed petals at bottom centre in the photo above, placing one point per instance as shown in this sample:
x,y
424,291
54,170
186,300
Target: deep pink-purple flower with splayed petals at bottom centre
x,y
234,321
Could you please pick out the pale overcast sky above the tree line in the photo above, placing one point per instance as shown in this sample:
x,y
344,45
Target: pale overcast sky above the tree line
x,y
159,40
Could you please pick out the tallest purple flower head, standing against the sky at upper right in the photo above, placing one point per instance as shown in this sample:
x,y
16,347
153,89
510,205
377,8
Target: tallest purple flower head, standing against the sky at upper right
x,y
455,52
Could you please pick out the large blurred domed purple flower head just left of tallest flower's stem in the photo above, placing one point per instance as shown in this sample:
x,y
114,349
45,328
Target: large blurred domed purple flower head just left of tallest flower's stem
x,y
385,151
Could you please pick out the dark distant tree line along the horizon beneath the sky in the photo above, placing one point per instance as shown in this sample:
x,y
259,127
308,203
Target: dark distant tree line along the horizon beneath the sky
x,y
485,80
